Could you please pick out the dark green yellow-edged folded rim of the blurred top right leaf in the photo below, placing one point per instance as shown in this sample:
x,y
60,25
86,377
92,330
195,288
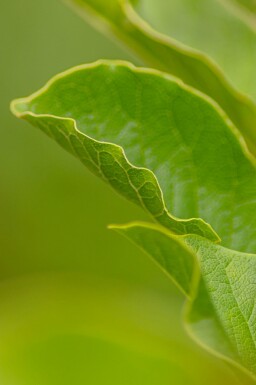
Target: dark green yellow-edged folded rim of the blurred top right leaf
x,y
166,54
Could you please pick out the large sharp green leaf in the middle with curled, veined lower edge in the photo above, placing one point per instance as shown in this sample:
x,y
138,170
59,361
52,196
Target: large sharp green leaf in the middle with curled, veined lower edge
x,y
146,134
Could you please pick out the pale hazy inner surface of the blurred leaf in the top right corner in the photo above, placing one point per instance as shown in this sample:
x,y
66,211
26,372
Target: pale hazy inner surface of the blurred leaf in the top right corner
x,y
214,27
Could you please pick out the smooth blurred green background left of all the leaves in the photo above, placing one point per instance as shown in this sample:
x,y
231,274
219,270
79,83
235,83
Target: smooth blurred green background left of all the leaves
x,y
78,304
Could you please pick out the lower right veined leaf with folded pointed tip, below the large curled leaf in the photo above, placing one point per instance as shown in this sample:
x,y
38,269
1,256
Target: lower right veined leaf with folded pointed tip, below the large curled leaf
x,y
221,312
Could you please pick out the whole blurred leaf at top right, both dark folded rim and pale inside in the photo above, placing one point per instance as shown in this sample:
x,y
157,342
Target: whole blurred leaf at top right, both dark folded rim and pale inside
x,y
167,54
